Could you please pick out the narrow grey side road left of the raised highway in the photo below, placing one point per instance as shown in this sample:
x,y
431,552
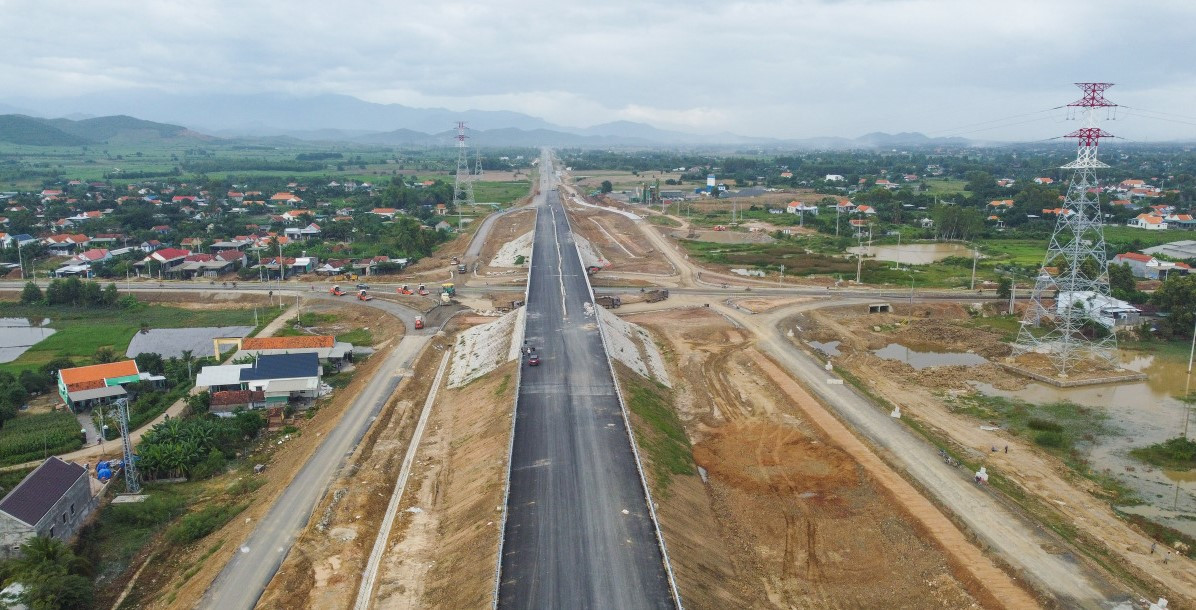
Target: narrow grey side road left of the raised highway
x,y
257,559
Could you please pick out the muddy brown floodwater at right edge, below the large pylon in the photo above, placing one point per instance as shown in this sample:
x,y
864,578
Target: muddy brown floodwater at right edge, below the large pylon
x,y
1142,413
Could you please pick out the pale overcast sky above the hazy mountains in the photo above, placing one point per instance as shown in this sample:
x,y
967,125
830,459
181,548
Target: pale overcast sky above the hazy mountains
x,y
985,70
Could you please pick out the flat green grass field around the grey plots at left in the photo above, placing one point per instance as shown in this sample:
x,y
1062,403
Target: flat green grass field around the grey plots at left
x,y
81,332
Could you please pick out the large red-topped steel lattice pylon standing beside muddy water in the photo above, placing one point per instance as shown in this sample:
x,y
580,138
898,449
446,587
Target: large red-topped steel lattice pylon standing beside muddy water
x,y
1072,286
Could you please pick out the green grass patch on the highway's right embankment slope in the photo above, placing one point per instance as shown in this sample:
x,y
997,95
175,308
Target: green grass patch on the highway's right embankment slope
x,y
660,432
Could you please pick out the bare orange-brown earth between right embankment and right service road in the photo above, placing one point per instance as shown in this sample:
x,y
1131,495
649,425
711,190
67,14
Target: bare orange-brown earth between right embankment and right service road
x,y
788,520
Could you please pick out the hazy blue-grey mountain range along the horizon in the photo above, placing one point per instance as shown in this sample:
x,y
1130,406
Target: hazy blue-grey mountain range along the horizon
x,y
349,120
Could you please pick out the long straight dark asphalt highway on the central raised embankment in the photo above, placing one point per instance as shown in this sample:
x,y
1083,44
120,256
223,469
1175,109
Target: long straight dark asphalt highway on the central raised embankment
x,y
578,533
